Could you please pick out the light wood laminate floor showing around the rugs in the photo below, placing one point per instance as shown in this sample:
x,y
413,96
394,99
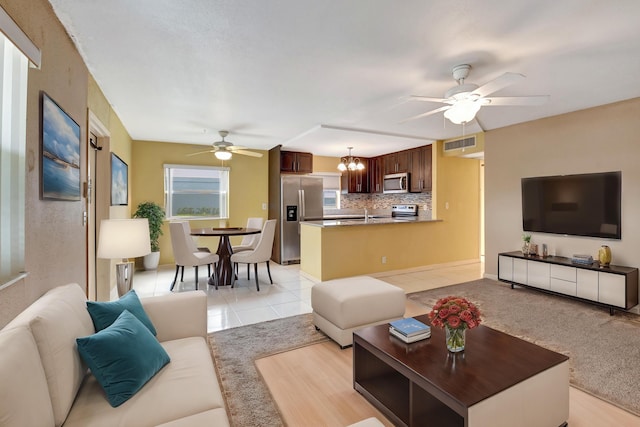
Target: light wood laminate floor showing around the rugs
x,y
313,385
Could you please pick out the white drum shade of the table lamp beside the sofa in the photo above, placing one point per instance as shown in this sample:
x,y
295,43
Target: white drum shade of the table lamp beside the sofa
x,y
124,238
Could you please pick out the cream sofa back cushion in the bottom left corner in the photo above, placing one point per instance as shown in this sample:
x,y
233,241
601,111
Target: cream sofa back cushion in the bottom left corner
x,y
24,395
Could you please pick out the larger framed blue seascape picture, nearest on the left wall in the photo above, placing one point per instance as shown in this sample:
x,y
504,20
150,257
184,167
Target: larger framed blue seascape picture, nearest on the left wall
x,y
60,149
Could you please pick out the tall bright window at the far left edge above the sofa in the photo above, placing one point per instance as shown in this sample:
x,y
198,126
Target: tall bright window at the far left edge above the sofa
x,y
14,67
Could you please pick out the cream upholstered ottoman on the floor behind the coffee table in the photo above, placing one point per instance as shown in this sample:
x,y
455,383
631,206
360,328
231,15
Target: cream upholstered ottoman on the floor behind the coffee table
x,y
342,306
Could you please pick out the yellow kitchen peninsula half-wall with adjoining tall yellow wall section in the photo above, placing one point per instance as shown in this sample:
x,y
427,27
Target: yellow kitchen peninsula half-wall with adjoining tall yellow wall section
x,y
333,252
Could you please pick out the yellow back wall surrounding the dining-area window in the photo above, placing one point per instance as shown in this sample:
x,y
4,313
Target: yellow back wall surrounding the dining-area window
x,y
248,185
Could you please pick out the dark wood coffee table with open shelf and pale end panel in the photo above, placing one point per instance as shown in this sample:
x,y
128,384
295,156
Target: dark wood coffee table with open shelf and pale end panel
x,y
498,380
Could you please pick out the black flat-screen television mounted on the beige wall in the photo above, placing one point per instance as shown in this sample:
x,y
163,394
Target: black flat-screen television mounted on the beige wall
x,y
577,205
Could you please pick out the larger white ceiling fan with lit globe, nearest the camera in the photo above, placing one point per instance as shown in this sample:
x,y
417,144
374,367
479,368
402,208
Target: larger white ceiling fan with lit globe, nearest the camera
x,y
465,100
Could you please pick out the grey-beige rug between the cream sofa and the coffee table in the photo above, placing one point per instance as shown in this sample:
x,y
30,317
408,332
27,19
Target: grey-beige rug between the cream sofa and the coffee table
x,y
247,397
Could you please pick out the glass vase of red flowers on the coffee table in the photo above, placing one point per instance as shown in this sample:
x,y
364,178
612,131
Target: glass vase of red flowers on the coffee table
x,y
456,315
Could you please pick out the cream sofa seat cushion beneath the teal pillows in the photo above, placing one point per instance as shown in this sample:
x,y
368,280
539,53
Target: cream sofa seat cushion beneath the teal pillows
x,y
186,386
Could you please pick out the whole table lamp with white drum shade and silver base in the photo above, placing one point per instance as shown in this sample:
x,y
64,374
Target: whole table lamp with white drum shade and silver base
x,y
124,239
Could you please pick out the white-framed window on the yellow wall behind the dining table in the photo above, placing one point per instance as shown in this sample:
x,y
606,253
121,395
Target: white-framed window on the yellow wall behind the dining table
x,y
196,192
